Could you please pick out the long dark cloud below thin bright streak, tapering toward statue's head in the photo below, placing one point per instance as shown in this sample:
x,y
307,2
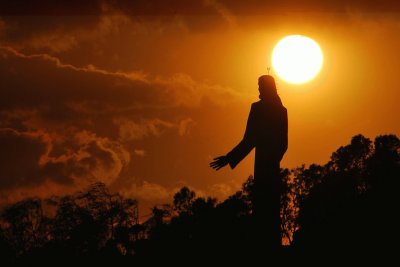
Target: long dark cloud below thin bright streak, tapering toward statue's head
x,y
91,86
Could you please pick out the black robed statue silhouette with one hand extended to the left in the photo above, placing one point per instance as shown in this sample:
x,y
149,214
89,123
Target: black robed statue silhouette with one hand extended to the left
x,y
267,131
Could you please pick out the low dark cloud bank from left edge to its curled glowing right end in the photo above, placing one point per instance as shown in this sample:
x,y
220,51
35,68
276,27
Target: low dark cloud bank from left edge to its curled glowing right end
x,y
26,160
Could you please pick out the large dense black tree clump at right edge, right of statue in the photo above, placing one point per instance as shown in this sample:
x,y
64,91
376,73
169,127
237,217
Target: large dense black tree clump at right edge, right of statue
x,y
350,209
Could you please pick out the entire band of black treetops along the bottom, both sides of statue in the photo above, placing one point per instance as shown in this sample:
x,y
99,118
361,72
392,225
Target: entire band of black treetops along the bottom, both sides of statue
x,y
346,207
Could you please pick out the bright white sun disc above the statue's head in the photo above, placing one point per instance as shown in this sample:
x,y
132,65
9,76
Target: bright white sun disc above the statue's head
x,y
297,59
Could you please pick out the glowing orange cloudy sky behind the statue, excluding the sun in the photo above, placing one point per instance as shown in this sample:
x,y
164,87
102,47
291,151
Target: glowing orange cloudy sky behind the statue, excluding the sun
x,y
142,97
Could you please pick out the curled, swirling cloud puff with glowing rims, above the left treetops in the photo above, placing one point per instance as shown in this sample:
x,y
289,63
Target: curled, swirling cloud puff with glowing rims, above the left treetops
x,y
89,159
